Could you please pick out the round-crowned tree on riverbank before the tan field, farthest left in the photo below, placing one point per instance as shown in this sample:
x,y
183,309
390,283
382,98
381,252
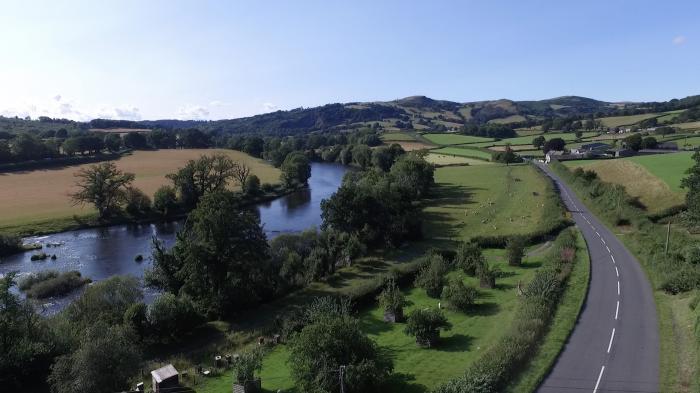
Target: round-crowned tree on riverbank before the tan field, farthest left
x,y
102,185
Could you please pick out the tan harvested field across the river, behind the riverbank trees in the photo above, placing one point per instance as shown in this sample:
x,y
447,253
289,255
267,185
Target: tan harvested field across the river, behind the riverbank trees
x,y
40,196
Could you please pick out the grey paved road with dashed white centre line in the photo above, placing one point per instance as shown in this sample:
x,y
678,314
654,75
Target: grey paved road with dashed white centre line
x,y
615,344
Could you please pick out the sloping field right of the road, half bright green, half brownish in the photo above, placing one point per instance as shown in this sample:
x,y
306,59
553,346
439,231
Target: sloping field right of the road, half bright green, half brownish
x,y
654,179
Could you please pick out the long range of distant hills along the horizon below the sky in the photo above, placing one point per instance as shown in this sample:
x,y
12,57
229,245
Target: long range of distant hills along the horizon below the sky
x,y
414,112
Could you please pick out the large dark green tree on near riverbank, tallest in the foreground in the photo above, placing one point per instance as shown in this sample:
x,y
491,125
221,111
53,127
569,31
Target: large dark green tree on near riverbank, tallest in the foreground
x,y
219,258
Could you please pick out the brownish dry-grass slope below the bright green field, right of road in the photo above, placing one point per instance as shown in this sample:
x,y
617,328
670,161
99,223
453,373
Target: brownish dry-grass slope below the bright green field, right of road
x,y
652,191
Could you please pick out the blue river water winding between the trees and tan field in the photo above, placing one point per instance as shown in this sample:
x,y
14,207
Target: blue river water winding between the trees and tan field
x,y
99,253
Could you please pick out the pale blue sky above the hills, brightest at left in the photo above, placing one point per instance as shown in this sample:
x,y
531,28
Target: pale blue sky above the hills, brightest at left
x,y
154,59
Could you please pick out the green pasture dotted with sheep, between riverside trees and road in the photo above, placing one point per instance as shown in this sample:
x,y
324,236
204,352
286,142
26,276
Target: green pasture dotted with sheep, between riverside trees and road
x,y
486,200
